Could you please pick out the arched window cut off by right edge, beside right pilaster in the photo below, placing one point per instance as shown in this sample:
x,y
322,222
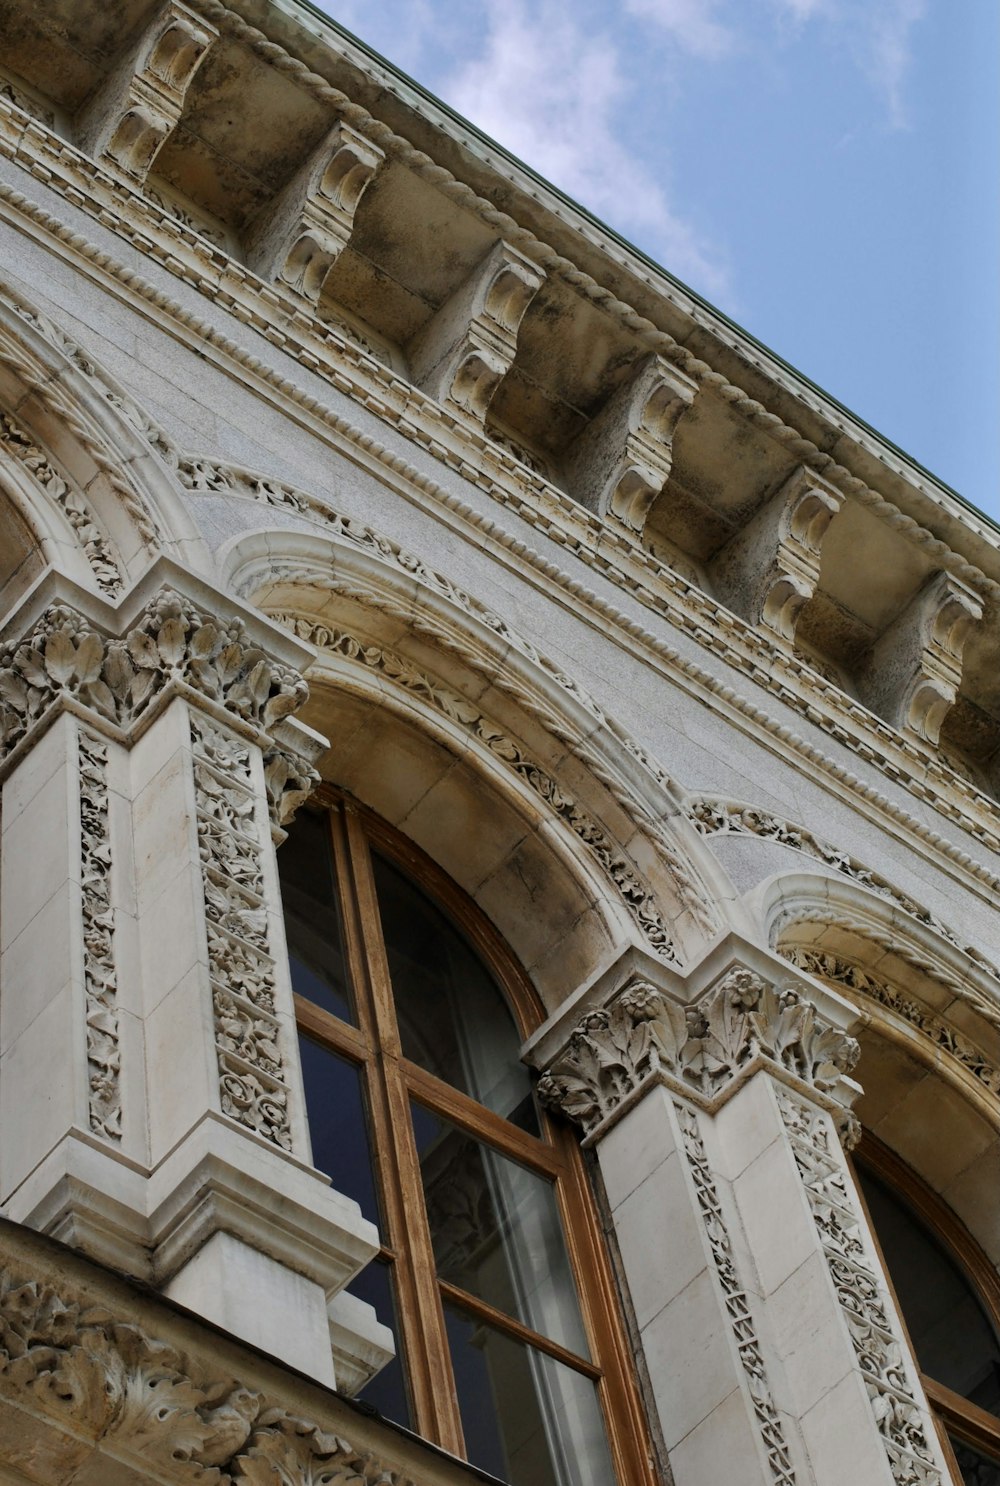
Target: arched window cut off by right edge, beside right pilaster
x,y
949,1295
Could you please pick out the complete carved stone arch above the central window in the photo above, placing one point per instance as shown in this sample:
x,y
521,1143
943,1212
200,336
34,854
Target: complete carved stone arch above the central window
x,y
574,845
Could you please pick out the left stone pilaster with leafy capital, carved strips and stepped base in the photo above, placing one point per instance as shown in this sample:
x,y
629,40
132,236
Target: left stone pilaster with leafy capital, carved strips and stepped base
x,y
149,1063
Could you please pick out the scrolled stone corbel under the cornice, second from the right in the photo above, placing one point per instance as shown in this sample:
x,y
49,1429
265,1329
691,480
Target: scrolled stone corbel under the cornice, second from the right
x,y
769,571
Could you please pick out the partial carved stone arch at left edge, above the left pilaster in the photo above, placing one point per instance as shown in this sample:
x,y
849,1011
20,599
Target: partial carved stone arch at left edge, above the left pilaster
x,y
90,472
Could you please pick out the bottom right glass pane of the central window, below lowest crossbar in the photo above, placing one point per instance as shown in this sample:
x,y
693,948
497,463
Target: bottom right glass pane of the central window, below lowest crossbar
x,y
527,1418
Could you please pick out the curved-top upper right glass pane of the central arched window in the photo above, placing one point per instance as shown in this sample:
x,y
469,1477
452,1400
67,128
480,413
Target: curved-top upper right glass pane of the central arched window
x,y
454,1020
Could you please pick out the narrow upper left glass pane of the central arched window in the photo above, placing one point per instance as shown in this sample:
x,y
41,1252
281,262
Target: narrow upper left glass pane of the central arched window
x,y
313,918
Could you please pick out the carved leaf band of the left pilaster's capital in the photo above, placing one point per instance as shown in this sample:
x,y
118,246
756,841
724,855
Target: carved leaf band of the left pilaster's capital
x,y
120,678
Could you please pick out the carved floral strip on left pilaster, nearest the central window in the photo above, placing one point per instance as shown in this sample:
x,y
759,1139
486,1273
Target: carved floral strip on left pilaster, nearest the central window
x,y
252,1075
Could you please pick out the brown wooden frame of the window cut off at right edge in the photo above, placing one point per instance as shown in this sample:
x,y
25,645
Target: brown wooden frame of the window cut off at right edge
x,y
952,1412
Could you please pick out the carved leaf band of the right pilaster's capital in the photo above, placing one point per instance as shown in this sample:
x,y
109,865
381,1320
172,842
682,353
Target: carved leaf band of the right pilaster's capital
x,y
701,1048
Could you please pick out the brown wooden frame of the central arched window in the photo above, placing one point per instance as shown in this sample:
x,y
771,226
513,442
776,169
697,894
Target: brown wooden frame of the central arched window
x,y
392,1081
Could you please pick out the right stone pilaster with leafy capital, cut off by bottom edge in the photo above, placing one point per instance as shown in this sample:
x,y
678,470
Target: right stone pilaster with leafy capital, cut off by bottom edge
x,y
769,1332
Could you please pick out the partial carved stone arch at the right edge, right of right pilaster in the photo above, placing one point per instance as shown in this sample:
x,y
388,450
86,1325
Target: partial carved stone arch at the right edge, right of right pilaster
x,y
929,1036
